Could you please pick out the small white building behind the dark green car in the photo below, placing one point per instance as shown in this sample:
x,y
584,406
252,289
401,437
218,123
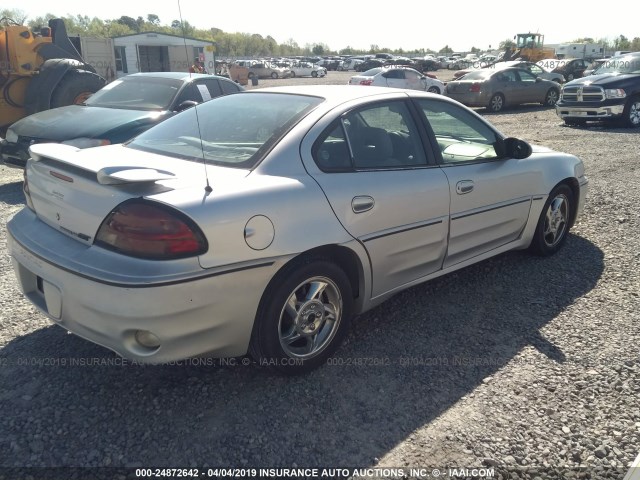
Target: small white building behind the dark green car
x,y
160,52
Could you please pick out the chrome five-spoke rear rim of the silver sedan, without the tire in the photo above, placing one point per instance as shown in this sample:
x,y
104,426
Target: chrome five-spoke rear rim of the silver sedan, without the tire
x,y
310,318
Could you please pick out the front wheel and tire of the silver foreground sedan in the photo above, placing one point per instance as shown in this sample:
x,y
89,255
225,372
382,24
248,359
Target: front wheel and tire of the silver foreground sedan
x,y
554,222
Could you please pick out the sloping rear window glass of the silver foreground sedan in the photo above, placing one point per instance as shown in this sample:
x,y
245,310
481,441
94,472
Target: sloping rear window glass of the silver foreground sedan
x,y
232,131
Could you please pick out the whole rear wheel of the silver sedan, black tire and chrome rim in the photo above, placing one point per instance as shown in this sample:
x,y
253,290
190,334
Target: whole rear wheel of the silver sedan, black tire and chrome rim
x,y
319,294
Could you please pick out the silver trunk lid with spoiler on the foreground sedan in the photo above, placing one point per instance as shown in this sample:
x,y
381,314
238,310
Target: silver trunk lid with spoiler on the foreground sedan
x,y
73,190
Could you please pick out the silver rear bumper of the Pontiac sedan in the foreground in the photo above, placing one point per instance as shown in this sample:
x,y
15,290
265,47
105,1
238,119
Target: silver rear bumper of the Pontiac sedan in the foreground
x,y
211,313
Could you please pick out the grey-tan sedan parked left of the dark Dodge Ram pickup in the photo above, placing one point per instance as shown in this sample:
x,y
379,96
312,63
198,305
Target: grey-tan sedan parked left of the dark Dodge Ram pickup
x,y
495,89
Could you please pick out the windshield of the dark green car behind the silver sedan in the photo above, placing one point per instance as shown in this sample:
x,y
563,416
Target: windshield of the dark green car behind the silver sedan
x,y
137,93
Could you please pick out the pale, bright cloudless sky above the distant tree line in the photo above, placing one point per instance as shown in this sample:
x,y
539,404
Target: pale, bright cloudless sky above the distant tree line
x,y
409,25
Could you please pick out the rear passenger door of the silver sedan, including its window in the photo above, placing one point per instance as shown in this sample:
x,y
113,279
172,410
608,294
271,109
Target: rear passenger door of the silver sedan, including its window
x,y
381,186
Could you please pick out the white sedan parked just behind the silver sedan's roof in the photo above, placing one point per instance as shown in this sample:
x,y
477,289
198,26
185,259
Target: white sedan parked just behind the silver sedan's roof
x,y
398,77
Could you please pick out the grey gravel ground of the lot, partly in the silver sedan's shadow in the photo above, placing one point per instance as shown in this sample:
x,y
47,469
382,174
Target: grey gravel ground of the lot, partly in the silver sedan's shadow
x,y
527,365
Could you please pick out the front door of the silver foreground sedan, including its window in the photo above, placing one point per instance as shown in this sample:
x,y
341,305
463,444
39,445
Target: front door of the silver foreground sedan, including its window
x,y
490,196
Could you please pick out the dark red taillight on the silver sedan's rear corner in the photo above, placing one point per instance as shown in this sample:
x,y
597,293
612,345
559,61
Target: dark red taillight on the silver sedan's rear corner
x,y
146,230
